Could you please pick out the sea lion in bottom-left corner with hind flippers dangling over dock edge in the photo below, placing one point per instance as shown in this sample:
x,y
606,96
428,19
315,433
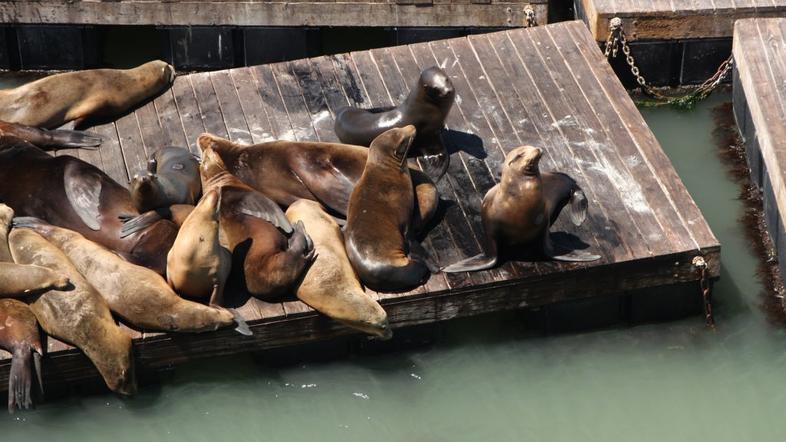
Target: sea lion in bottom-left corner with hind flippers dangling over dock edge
x,y
19,336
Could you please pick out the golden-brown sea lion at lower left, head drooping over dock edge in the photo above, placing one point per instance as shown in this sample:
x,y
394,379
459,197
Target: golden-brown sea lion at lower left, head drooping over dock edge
x,y
79,316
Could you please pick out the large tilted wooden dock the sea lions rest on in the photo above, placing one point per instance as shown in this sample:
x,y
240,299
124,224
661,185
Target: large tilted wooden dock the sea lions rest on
x,y
547,86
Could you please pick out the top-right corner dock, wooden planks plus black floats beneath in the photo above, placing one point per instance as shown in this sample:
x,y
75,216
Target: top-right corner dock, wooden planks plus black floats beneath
x,y
674,42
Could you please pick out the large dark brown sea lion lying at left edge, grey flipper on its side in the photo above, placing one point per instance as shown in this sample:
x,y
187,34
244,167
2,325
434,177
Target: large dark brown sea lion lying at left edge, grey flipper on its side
x,y
68,192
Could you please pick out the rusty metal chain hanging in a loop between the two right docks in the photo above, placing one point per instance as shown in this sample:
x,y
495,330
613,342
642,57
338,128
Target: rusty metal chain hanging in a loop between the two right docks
x,y
617,40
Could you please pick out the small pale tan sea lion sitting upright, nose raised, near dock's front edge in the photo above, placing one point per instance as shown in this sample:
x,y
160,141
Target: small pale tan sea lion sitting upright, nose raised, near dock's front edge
x,y
198,265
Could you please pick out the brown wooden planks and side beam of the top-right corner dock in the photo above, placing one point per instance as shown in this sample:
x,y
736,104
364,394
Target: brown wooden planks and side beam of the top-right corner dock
x,y
674,19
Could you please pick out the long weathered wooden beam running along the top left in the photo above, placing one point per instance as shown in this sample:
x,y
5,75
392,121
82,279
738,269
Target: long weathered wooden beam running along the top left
x,y
471,13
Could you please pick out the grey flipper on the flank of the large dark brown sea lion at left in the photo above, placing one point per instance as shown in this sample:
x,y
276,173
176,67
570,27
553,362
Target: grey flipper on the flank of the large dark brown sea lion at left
x,y
83,190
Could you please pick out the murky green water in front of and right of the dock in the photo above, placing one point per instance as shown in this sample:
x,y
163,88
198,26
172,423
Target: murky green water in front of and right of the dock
x,y
487,378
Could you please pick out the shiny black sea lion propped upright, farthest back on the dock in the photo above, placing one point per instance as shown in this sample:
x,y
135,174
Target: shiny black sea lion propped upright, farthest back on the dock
x,y
426,107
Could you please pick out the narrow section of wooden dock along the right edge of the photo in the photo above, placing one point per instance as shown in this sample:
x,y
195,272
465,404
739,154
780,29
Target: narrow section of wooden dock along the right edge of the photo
x,y
760,111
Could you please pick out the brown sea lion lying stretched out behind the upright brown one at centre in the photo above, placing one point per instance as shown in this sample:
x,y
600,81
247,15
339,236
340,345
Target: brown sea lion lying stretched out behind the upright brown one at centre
x,y
287,171
